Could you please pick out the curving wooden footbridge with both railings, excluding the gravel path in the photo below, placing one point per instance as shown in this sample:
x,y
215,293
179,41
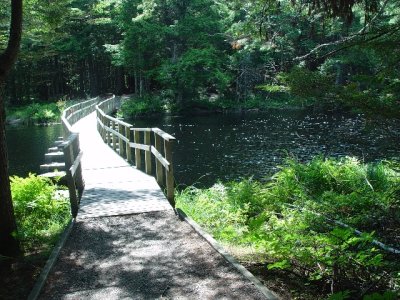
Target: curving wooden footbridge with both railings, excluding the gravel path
x,y
100,162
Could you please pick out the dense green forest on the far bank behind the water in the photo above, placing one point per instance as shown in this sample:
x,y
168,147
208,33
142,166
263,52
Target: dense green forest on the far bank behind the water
x,y
176,55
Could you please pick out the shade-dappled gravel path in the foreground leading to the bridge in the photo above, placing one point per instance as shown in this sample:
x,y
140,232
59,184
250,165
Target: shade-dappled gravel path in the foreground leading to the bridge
x,y
144,256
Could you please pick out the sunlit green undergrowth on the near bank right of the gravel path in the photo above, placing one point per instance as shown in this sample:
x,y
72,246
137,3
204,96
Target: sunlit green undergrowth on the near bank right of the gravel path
x,y
321,221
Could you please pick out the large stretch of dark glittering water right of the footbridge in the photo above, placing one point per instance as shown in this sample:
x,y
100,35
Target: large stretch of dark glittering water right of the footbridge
x,y
228,147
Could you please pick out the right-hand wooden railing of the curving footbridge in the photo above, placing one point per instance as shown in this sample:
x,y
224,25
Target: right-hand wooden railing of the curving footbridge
x,y
131,142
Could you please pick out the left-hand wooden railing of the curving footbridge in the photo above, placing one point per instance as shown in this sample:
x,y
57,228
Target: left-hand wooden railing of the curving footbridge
x,y
72,151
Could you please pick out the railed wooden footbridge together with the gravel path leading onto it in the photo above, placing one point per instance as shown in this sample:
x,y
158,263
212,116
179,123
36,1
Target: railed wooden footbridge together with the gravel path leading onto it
x,y
126,242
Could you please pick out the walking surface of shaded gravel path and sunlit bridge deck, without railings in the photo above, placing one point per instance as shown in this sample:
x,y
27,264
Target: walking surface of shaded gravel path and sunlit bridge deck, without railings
x,y
145,252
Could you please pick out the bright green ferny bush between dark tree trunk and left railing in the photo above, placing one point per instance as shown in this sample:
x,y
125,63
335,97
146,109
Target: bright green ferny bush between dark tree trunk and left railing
x,y
40,216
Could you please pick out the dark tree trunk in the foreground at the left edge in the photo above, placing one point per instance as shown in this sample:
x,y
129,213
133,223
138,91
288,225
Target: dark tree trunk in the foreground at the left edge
x,y
8,244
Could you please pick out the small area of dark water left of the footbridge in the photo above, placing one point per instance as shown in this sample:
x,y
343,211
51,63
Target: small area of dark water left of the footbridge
x,y
27,146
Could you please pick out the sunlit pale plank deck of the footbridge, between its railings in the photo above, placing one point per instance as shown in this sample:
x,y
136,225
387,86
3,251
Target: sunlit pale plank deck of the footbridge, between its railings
x,y
112,185
